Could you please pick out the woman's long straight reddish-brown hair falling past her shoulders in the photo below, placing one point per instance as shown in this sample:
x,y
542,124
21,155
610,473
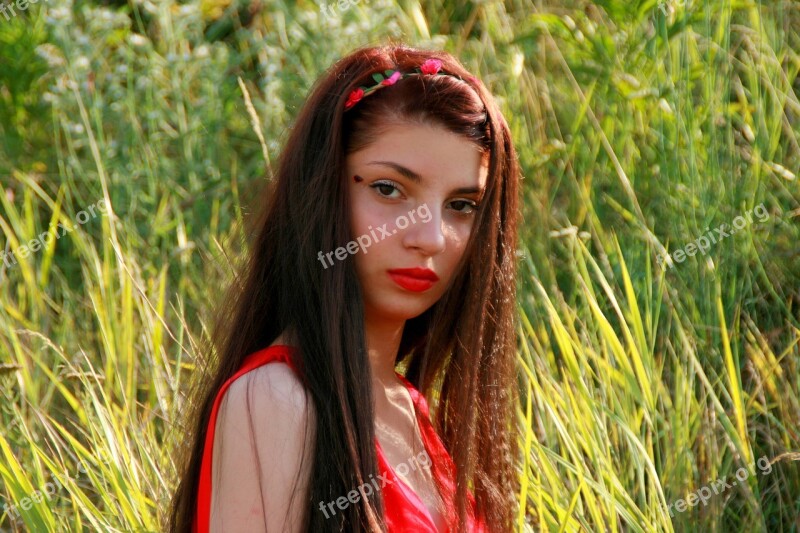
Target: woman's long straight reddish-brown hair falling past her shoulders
x,y
460,352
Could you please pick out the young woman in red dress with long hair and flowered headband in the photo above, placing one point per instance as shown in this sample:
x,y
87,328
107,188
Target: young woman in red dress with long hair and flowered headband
x,y
387,241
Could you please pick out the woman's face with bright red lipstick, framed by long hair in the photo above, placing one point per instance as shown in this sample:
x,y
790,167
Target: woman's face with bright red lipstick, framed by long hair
x,y
414,194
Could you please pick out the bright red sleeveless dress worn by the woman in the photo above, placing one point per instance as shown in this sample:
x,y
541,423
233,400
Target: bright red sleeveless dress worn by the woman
x,y
404,511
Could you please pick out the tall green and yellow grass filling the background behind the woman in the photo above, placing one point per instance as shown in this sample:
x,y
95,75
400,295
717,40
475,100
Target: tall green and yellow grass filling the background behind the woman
x,y
638,126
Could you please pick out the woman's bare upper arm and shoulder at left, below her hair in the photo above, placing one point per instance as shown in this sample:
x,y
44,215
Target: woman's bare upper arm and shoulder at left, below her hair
x,y
259,444
